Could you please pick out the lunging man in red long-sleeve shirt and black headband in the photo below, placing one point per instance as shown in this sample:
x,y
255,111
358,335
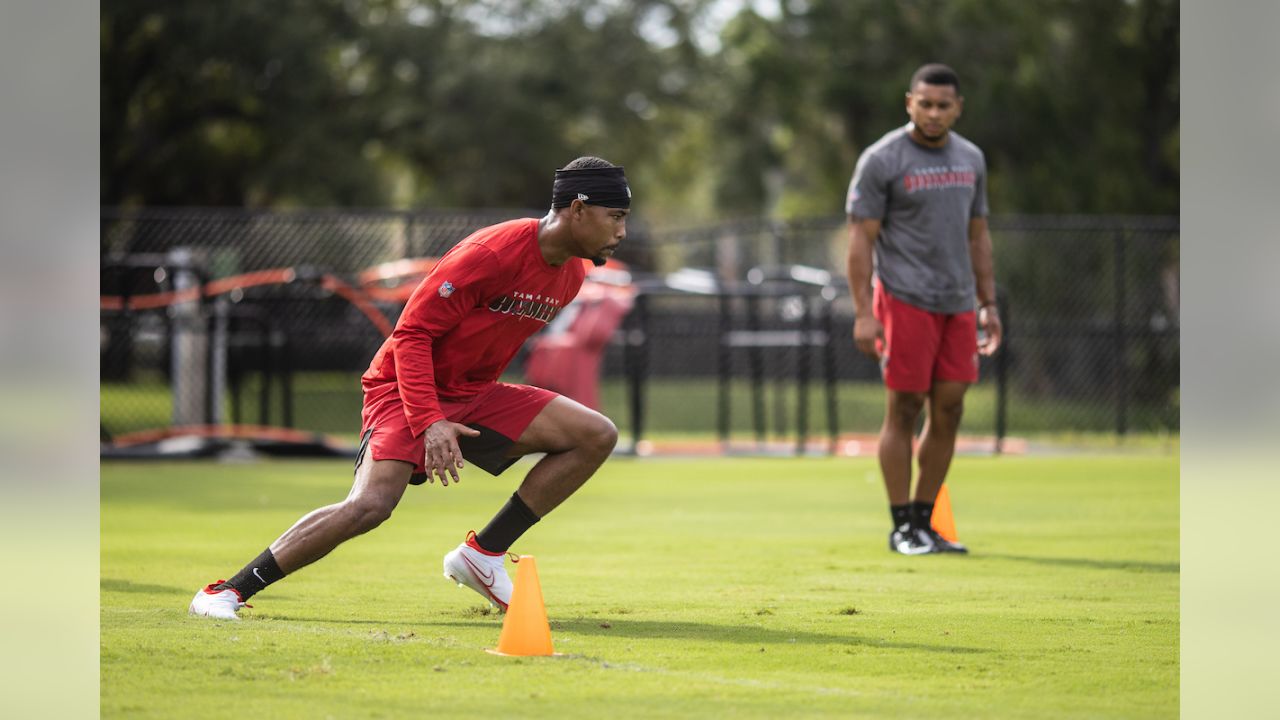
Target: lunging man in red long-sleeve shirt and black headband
x,y
433,398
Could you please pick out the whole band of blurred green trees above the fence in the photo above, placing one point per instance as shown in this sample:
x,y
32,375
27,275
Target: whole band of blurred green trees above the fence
x,y
472,103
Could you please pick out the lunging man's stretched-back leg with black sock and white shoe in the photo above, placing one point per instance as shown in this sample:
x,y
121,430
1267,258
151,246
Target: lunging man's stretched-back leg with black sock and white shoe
x,y
377,490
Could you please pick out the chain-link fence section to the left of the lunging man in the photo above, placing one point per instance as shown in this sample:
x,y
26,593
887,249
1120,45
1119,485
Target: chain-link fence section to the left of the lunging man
x,y
309,298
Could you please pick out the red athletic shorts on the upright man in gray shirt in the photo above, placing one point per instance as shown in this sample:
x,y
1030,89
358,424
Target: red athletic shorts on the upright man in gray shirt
x,y
921,347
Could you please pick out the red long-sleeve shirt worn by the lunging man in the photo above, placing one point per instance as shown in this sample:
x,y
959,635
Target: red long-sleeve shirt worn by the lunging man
x,y
468,320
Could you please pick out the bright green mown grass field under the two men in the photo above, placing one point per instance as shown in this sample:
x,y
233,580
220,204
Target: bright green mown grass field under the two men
x,y
701,589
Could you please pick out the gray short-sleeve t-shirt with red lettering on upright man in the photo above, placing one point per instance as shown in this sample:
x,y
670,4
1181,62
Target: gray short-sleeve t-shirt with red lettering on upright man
x,y
925,198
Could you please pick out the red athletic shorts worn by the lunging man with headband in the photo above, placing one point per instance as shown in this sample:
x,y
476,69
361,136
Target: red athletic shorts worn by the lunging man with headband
x,y
501,413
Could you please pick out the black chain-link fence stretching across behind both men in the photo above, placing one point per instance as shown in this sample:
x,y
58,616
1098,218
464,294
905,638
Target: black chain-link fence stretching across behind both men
x,y
216,318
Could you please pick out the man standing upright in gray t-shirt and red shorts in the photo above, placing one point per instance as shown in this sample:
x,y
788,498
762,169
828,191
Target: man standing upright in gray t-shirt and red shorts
x,y
918,207
